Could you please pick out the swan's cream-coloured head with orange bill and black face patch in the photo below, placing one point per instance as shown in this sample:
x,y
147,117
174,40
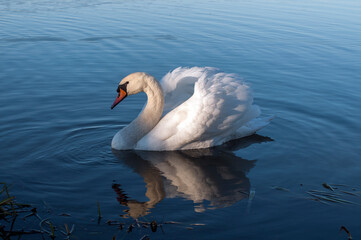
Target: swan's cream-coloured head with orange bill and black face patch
x,y
132,84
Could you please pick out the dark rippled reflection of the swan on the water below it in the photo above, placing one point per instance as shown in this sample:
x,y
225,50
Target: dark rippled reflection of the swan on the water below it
x,y
211,178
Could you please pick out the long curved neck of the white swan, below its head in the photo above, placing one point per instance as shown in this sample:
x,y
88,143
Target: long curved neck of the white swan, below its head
x,y
148,118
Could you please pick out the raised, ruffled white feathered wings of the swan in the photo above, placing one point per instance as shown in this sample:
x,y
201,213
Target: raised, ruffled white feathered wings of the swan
x,y
218,107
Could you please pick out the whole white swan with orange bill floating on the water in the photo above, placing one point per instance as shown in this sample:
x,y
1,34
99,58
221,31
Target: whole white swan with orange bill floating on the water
x,y
203,107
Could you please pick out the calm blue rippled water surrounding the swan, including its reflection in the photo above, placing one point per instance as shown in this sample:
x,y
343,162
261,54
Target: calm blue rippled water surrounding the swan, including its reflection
x,y
61,61
